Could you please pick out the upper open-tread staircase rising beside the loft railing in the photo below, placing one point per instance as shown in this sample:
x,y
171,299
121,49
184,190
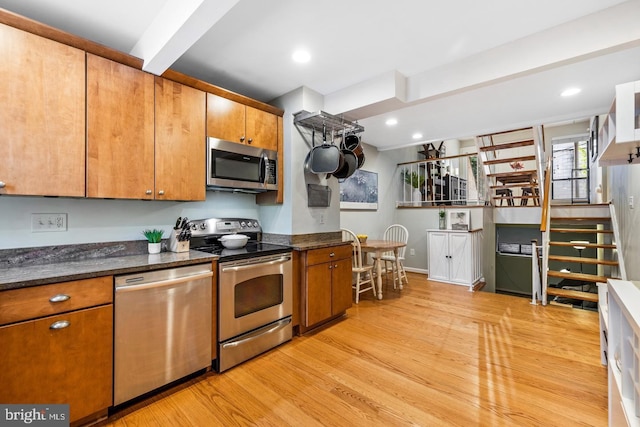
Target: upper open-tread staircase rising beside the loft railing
x,y
511,165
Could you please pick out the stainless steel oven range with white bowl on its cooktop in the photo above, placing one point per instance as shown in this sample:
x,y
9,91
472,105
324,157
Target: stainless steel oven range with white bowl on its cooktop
x,y
254,289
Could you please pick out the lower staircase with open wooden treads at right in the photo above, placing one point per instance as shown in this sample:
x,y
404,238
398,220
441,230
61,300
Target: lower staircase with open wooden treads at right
x,y
582,252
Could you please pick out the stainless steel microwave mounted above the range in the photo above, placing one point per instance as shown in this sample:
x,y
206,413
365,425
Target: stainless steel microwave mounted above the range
x,y
232,166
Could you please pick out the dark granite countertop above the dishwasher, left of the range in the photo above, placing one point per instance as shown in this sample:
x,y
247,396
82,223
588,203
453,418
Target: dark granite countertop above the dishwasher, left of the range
x,y
21,276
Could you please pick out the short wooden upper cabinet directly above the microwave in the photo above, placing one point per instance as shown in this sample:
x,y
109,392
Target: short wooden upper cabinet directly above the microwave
x,y
236,122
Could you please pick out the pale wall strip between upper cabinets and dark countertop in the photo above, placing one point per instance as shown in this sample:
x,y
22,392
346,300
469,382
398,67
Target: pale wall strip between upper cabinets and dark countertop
x,y
98,220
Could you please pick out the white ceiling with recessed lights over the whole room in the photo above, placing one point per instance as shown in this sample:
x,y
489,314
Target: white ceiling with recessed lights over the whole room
x,y
449,69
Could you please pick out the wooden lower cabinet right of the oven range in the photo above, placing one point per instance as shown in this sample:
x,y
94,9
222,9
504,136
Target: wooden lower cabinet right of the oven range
x,y
326,290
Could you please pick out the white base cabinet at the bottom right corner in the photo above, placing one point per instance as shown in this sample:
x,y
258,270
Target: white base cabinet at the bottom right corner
x,y
624,352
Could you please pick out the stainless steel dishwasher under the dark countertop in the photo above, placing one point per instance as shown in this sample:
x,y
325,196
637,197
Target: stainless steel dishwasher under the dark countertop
x,y
162,328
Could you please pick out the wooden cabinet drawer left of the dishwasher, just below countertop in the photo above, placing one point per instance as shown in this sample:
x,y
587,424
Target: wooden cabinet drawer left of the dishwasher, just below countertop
x,y
29,303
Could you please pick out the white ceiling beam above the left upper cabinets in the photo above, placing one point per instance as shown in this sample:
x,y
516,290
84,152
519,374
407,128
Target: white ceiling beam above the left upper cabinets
x,y
175,29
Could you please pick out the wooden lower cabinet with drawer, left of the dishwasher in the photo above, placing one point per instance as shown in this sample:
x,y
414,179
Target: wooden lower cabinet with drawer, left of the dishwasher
x,y
57,346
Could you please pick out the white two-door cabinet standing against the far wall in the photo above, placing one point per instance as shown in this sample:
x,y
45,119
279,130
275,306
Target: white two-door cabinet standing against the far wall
x,y
455,256
